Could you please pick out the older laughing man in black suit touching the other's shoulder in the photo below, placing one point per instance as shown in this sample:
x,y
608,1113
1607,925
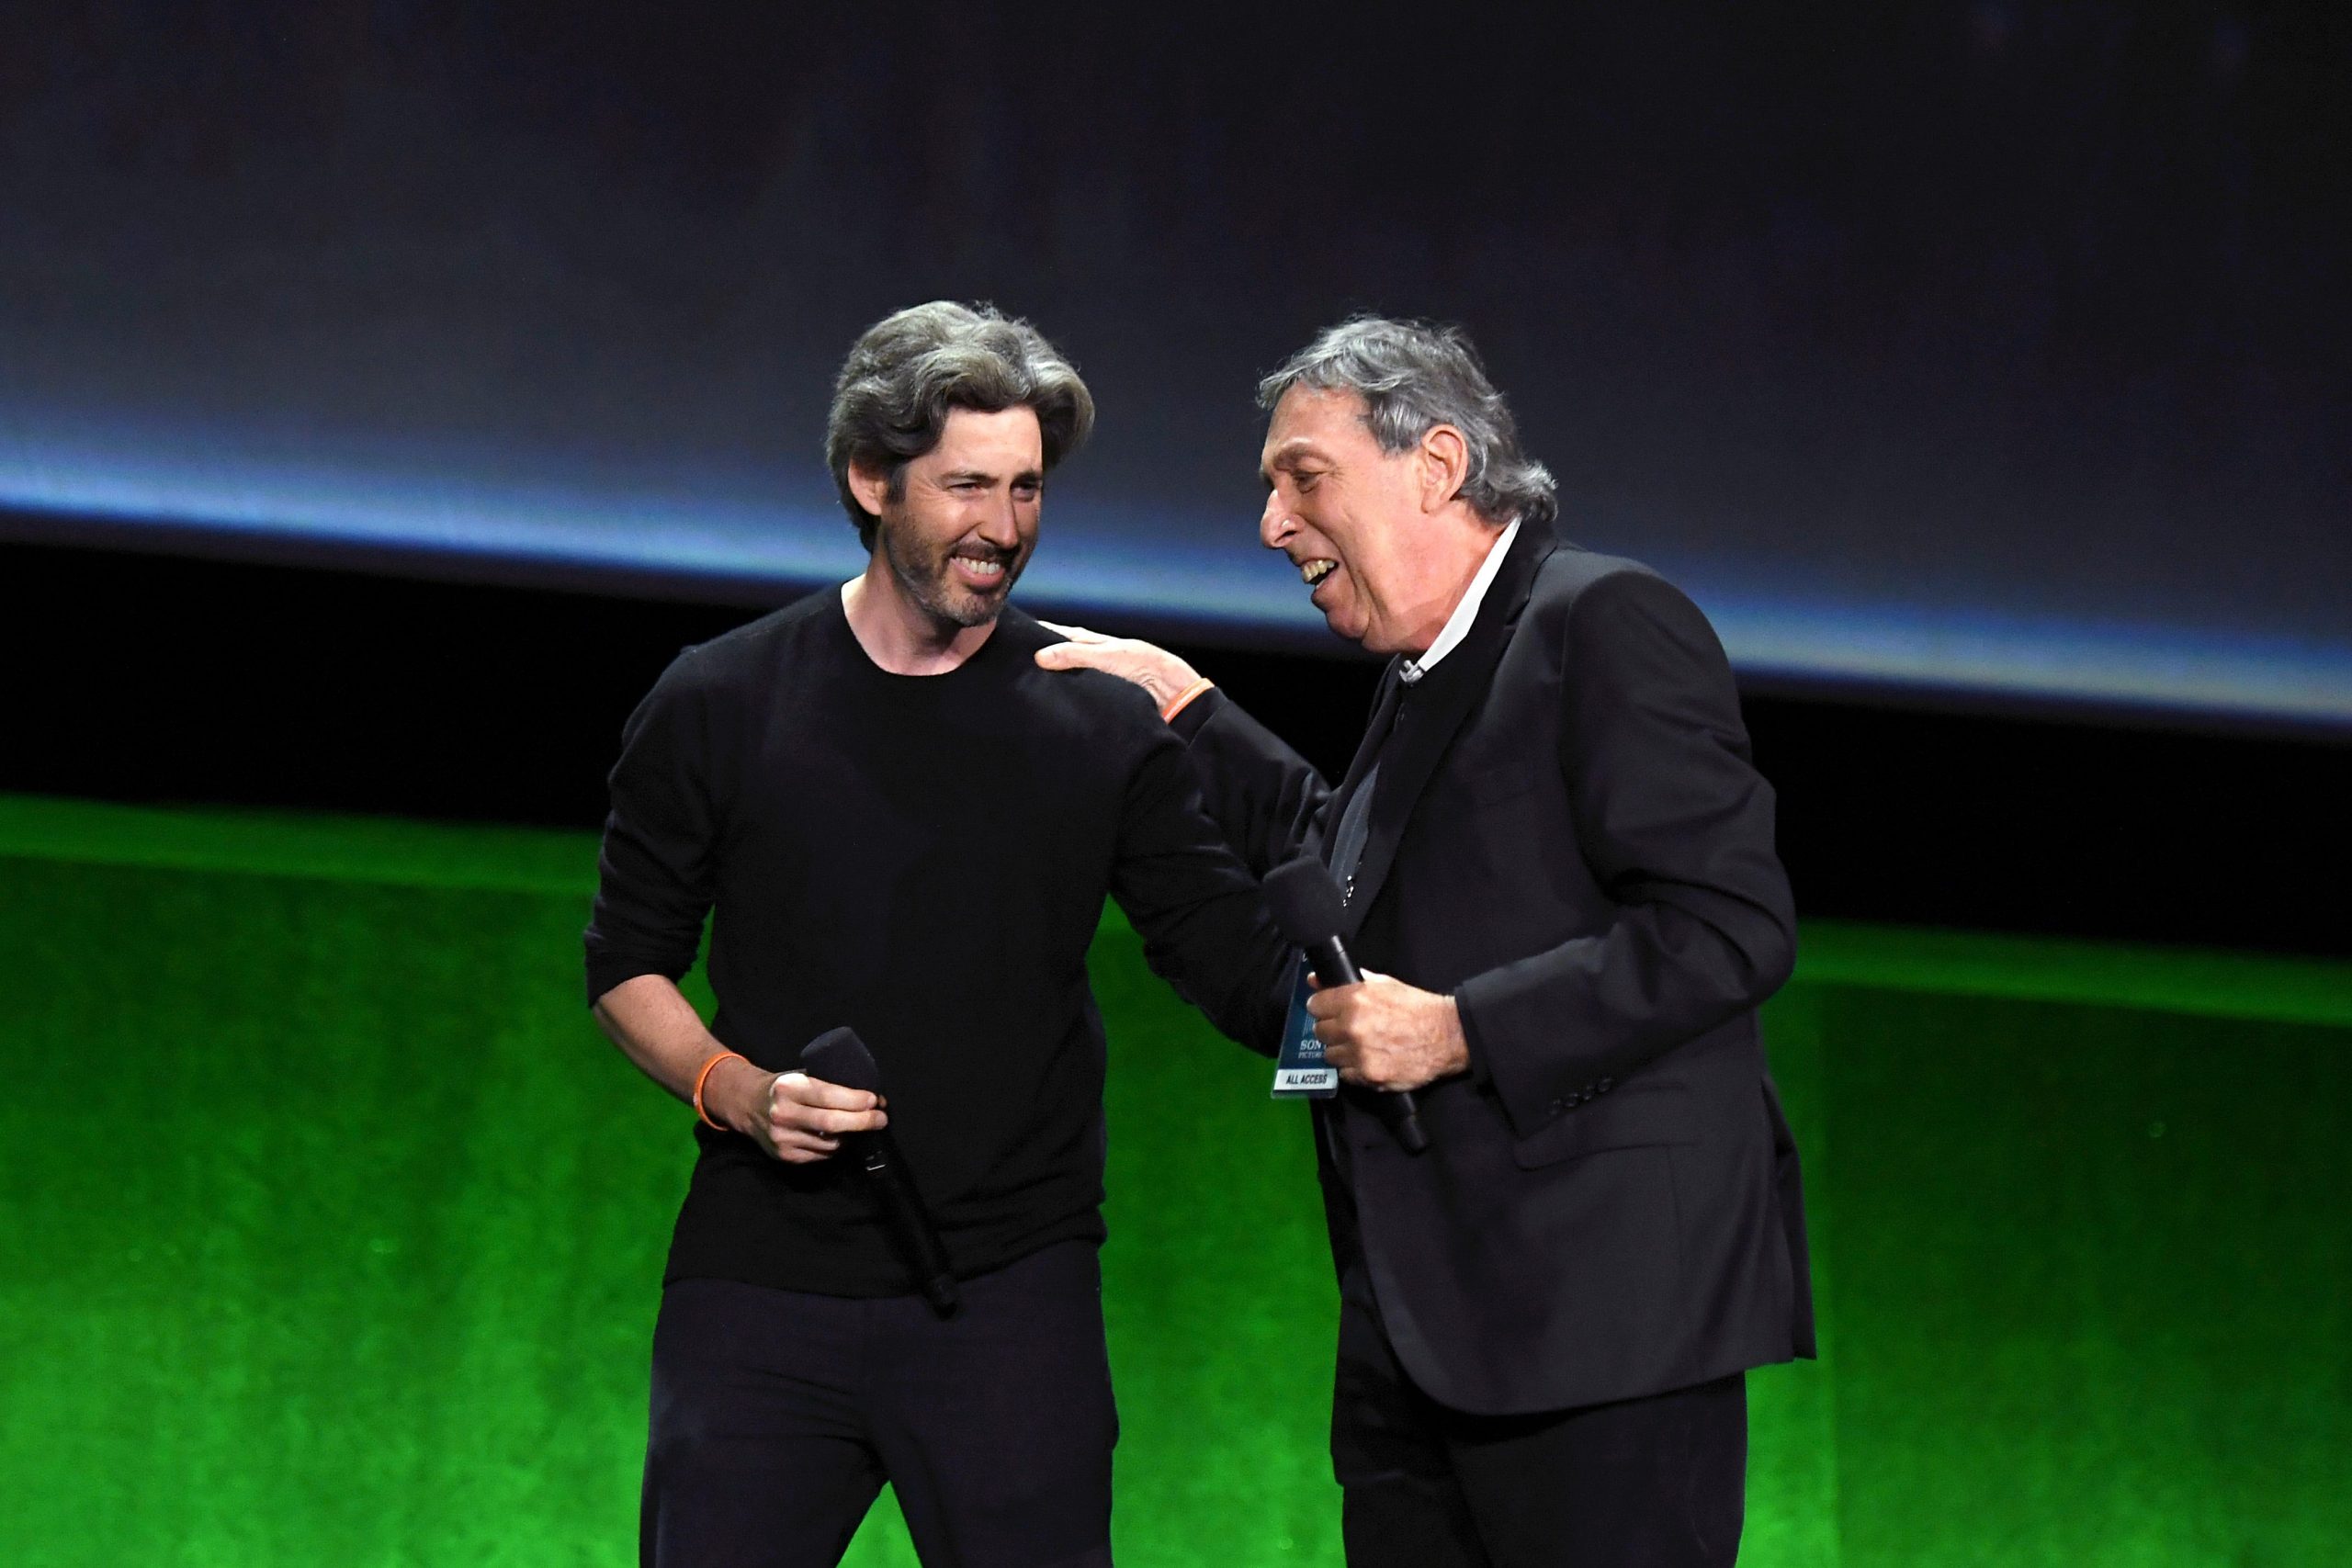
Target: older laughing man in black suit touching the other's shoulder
x,y
1563,890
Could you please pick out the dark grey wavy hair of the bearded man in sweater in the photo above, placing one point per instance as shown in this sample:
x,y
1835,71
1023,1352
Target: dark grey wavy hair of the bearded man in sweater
x,y
911,370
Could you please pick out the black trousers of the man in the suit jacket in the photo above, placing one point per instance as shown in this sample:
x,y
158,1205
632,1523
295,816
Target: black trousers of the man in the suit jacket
x,y
1641,1485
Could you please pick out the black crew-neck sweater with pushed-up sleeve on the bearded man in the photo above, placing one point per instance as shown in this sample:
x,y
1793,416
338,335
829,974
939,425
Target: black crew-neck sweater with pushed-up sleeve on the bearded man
x,y
923,859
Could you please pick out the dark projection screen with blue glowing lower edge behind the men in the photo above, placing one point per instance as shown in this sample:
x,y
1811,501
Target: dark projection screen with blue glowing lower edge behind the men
x,y
1956,347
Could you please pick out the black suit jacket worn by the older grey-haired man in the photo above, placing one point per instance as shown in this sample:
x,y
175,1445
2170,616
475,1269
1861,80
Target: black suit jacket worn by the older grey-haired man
x,y
1570,838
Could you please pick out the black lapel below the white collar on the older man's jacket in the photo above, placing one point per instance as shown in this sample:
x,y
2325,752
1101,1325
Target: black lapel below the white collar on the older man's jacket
x,y
1436,711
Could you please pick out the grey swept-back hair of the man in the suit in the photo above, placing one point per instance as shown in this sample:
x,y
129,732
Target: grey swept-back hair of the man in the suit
x,y
1412,380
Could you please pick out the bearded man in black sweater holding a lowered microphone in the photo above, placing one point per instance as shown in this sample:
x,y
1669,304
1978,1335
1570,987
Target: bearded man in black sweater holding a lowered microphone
x,y
902,826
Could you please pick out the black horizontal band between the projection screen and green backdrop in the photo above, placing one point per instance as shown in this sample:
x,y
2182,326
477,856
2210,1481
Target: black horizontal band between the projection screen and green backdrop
x,y
178,681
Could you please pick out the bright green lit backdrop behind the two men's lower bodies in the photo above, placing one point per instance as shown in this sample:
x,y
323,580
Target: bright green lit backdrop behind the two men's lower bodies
x,y
330,1233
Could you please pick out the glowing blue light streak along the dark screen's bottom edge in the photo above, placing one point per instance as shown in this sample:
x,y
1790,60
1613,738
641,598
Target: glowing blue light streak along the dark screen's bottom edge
x,y
1135,565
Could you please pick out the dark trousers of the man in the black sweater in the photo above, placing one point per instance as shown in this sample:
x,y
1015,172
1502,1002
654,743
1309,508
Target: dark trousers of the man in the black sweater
x,y
777,1416
